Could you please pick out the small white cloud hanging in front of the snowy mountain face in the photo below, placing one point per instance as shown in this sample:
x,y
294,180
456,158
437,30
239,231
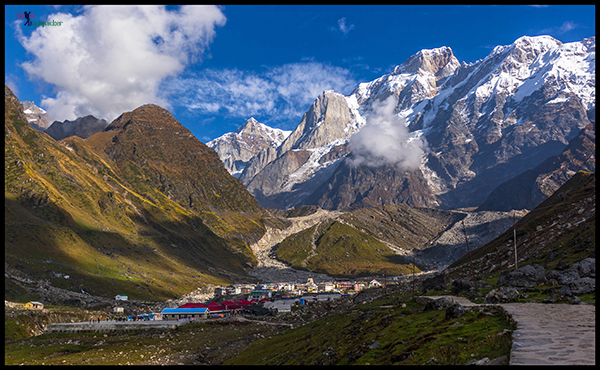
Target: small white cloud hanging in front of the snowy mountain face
x,y
385,140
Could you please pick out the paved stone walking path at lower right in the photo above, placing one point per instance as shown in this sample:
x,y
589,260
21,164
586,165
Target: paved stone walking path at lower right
x,y
549,334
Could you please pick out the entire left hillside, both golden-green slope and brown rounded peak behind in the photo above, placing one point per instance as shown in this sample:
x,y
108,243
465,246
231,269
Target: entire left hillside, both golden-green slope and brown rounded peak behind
x,y
73,209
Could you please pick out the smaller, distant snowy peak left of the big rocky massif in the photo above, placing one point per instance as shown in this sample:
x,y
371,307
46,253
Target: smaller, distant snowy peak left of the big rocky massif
x,y
237,148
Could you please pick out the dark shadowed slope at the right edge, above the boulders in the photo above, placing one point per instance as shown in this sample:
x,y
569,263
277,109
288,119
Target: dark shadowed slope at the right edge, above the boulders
x,y
542,235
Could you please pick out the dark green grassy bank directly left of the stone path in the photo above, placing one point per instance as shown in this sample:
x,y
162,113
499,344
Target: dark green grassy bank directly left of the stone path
x,y
375,334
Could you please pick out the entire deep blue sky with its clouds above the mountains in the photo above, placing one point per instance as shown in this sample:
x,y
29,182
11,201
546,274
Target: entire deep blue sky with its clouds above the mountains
x,y
214,67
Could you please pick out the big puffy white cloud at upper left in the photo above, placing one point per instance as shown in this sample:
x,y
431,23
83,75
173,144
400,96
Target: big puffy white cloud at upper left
x,y
111,59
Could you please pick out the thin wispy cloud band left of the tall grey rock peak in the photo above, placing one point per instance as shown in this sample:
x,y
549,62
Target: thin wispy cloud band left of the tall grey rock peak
x,y
278,93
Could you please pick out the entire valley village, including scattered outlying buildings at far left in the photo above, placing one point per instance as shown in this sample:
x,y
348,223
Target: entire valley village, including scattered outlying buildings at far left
x,y
233,301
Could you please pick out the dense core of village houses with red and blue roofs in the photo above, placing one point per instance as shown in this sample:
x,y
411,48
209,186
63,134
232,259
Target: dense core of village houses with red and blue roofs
x,y
265,298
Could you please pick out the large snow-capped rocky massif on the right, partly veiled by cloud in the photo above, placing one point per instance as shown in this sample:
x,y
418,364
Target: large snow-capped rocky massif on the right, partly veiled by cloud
x,y
434,131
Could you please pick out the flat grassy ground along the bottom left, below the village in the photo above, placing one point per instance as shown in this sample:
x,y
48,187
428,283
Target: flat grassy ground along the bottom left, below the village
x,y
188,344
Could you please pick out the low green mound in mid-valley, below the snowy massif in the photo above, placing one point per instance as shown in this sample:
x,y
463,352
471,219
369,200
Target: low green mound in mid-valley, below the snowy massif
x,y
356,245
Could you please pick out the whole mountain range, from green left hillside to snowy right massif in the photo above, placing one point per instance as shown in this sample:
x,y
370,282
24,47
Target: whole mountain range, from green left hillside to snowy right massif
x,y
141,207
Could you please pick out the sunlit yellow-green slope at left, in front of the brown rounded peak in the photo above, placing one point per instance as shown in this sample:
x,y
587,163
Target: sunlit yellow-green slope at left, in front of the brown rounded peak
x,y
69,211
